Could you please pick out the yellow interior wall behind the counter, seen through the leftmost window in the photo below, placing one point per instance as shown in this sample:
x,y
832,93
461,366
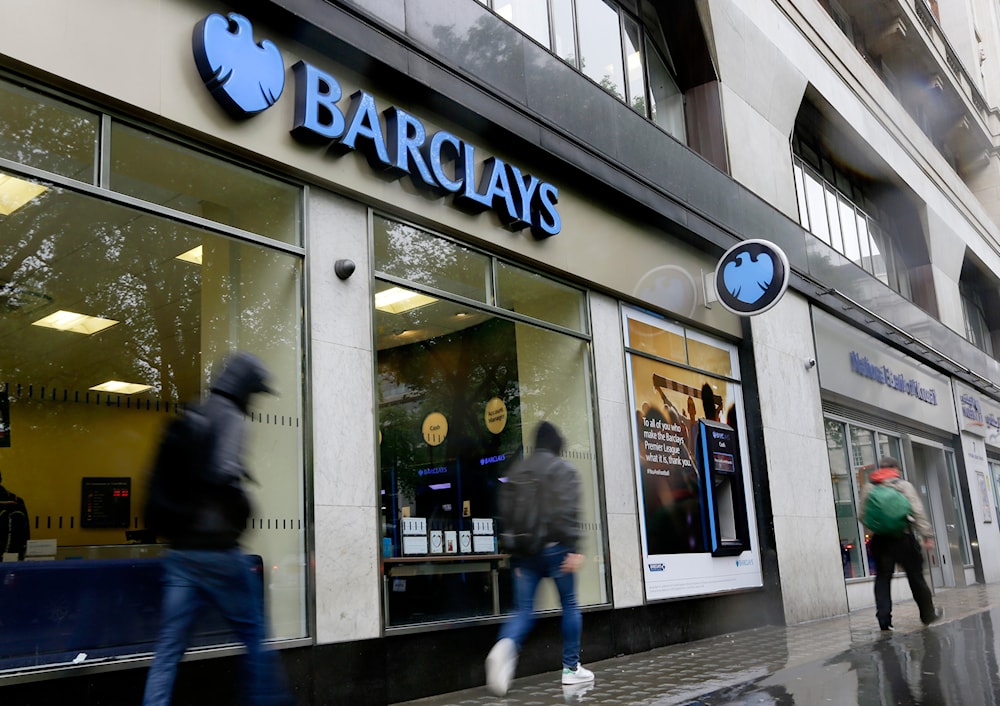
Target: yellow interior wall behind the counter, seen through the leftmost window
x,y
55,444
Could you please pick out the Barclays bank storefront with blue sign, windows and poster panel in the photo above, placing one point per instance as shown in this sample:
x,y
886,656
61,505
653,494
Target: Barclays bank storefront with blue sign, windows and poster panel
x,y
426,288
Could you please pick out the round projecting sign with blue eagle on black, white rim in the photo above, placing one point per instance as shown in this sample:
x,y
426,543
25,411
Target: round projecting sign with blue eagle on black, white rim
x,y
751,277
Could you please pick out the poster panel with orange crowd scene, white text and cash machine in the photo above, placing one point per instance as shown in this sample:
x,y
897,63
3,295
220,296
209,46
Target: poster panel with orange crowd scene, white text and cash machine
x,y
692,467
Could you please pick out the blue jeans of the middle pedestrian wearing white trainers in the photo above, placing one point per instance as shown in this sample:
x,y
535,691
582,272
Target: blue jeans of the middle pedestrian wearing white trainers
x,y
528,573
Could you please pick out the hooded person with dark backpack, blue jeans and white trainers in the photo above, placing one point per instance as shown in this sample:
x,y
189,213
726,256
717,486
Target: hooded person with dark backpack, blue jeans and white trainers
x,y
553,554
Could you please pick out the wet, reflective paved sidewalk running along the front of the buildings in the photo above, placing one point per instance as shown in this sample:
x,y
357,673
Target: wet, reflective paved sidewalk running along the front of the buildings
x,y
843,661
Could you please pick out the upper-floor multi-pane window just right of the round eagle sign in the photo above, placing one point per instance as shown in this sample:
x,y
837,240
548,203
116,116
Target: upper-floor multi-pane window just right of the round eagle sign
x,y
834,206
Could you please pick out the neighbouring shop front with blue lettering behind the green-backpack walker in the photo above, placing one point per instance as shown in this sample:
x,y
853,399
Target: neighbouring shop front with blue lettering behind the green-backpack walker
x,y
878,402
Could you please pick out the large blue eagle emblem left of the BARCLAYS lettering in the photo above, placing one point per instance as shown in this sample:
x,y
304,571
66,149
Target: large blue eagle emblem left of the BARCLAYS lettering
x,y
245,77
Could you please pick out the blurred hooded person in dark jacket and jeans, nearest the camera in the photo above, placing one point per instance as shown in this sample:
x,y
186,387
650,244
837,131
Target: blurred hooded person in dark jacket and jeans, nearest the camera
x,y
204,565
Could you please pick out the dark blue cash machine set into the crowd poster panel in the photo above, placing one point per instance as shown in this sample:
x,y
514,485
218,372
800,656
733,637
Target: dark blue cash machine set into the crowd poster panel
x,y
723,497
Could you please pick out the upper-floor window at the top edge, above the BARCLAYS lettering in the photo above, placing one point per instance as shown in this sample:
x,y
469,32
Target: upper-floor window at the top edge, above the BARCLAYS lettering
x,y
608,46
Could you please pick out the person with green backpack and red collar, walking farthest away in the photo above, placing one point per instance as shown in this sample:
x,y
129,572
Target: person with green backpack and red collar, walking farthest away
x,y
892,511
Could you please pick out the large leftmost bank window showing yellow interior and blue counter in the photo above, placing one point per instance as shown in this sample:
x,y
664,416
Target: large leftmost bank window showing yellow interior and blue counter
x,y
112,318
